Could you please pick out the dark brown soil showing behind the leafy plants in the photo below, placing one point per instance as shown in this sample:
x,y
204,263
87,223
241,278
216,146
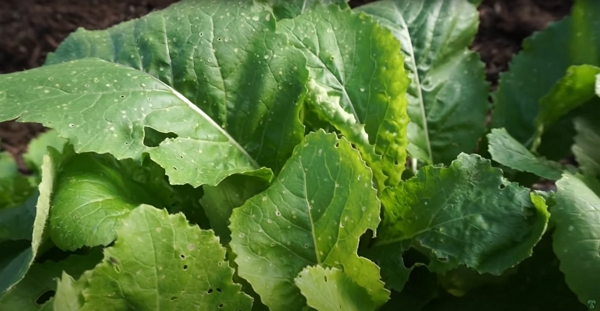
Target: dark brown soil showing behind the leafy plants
x,y
29,29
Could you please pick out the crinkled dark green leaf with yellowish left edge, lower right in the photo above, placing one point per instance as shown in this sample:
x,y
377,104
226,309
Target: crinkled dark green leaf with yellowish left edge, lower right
x,y
464,214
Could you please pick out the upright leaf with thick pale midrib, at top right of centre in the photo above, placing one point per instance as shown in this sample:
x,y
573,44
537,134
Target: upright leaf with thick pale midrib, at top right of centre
x,y
447,96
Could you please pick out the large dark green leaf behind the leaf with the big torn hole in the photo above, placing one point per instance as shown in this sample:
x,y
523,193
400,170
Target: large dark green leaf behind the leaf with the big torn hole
x,y
226,59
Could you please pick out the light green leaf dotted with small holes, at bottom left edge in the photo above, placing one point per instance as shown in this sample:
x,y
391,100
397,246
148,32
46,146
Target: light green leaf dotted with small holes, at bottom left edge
x,y
159,262
